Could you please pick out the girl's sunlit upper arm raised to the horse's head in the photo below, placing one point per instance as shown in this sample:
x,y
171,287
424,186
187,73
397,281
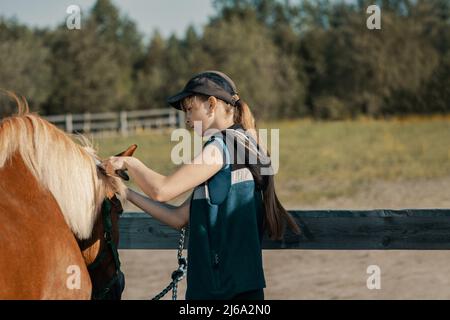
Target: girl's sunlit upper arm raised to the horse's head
x,y
165,188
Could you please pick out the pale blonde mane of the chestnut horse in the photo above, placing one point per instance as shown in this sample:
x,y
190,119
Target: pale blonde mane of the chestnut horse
x,y
62,166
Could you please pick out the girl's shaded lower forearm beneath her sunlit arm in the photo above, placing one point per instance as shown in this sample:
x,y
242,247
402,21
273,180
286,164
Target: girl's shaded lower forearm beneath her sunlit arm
x,y
175,217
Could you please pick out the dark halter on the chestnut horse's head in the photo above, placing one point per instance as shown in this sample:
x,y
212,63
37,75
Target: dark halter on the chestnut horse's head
x,y
114,288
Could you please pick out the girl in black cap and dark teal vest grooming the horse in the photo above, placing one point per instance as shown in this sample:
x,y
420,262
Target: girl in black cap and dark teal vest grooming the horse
x,y
233,202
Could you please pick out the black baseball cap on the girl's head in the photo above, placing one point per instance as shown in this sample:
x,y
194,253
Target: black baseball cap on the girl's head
x,y
209,83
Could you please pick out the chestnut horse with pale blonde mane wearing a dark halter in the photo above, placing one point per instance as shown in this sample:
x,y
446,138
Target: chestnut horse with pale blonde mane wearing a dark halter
x,y
58,215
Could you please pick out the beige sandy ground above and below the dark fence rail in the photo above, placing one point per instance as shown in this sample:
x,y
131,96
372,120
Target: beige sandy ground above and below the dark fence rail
x,y
306,274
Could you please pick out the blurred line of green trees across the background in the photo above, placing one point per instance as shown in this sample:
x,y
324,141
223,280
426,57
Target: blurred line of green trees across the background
x,y
288,59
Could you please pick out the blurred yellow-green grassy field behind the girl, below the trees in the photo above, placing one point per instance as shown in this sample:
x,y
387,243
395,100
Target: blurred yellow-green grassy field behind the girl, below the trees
x,y
328,160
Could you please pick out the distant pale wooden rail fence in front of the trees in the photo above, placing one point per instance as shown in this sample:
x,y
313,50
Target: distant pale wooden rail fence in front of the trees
x,y
122,122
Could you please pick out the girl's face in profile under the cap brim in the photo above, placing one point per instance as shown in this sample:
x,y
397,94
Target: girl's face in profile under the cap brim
x,y
199,114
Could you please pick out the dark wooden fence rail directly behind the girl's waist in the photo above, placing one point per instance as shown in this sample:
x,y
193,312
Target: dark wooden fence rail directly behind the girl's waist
x,y
415,229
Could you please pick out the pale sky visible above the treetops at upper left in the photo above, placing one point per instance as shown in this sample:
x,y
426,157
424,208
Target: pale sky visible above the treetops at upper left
x,y
168,16
